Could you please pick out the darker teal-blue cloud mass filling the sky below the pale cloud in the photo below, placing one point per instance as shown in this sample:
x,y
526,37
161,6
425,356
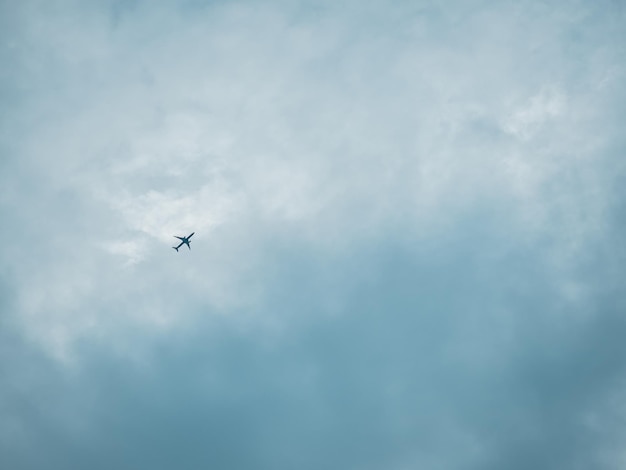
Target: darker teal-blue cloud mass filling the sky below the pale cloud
x,y
431,352
